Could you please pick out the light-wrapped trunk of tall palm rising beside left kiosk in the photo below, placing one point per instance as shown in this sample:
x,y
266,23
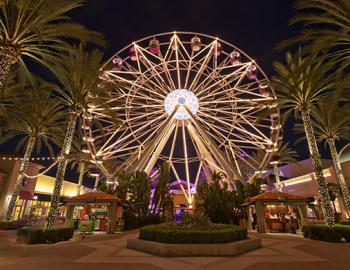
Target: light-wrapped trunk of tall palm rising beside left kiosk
x,y
56,194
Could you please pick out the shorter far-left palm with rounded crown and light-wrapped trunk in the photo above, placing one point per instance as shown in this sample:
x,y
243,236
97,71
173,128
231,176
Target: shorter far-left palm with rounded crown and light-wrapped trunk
x,y
37,119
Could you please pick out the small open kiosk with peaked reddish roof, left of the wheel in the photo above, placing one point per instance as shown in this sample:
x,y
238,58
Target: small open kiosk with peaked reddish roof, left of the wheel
x,y
98,210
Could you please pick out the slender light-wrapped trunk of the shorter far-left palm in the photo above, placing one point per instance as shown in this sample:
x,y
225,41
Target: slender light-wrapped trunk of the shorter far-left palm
x,y
20,177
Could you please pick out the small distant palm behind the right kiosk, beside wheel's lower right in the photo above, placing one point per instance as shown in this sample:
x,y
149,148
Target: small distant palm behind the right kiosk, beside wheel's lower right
x,y
284,154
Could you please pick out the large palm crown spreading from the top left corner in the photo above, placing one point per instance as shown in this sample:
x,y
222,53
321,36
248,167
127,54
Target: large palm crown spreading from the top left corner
x,y
38,30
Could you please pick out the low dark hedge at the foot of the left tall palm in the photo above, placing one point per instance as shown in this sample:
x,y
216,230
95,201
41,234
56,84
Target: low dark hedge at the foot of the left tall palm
x,y
40,236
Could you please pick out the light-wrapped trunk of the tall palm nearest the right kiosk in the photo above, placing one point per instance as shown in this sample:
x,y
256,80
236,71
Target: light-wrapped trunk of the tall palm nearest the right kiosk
x,y
318,170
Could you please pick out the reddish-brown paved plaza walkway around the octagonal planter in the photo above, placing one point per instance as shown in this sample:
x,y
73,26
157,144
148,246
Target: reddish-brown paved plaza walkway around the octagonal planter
x,y
107,252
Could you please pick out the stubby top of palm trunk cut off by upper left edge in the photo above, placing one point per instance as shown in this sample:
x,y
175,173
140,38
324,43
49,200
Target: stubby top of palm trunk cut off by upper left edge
x,y
9,56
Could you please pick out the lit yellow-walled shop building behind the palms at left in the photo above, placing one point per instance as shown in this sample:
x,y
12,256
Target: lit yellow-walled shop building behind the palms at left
x,y
35,194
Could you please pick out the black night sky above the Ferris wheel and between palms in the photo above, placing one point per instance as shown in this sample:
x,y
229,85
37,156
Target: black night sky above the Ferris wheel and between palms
x,y
255,26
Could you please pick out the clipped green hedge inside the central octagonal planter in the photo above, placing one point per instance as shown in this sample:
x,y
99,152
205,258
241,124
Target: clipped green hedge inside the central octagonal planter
x,y
172,234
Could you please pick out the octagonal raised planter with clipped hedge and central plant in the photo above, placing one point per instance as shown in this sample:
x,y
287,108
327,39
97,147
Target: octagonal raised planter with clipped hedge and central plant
x,y
194,236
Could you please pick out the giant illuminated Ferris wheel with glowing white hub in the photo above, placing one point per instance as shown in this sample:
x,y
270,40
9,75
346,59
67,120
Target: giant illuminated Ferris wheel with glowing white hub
x,y
192,100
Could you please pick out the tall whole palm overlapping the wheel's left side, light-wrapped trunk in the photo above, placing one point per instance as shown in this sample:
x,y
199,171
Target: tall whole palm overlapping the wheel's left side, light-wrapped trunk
x,y
77,73
